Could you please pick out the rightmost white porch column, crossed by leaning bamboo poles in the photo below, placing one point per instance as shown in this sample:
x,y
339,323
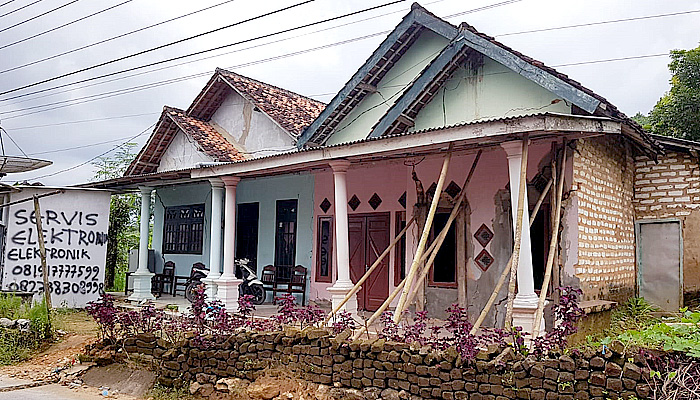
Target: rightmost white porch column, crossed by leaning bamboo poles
x,y
525,303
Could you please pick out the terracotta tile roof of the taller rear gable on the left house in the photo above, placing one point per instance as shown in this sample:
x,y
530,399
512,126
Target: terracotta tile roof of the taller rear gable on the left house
x,y
292,111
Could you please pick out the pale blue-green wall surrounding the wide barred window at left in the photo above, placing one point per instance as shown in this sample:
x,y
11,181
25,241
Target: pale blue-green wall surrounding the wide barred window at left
x,y
180,195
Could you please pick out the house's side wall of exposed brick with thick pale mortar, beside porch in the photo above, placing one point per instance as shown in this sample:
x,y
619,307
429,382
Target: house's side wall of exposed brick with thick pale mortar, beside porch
x,y
603,179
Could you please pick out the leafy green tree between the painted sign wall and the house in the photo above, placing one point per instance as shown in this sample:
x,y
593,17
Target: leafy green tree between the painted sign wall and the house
x,y
123,232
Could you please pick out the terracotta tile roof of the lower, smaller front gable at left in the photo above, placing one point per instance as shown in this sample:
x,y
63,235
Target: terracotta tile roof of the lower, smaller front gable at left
x,y
208,139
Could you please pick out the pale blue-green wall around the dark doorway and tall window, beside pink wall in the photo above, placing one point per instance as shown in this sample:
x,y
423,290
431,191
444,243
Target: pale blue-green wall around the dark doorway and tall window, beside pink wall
x,y
267,191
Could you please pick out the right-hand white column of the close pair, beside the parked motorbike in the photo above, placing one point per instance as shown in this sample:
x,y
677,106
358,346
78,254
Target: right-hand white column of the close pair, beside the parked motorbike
x,y
228,283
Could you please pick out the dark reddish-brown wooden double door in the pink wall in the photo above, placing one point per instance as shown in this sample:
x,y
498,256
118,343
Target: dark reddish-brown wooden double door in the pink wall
x,y
368,237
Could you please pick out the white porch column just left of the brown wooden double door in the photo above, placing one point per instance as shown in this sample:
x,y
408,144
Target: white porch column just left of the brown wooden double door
x,y
343,284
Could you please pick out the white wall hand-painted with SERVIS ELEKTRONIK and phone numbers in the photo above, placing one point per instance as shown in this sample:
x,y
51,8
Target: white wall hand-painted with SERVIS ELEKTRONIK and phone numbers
x,y
75,227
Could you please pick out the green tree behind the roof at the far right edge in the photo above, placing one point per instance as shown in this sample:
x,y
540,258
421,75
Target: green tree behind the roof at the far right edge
x,y
677,113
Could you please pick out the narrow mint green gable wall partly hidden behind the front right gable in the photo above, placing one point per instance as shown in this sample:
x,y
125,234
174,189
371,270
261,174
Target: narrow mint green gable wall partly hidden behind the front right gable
x,y
359,122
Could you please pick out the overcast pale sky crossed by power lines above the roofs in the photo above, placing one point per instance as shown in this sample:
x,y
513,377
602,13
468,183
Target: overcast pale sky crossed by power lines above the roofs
x,y
52,123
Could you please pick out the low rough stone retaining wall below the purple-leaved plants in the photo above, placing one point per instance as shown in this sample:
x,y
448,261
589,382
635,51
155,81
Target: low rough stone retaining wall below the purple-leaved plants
x,y
318,357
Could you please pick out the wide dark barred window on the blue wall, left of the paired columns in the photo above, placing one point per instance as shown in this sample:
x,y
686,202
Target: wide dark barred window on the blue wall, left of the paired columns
x,y
183,230
